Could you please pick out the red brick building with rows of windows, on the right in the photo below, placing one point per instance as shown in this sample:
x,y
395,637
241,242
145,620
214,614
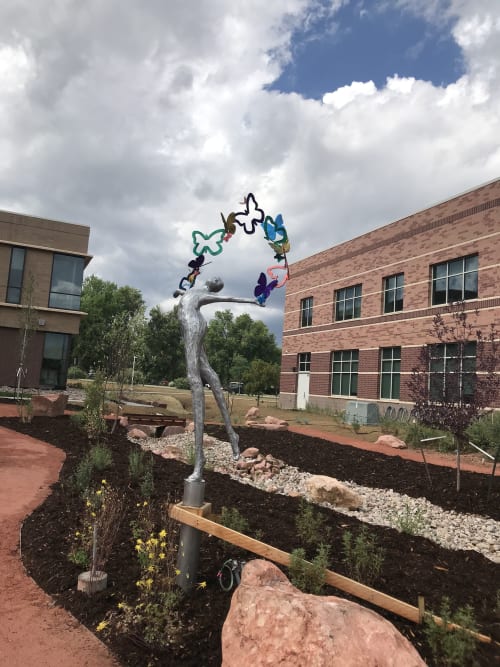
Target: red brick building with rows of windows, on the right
x,y
357,314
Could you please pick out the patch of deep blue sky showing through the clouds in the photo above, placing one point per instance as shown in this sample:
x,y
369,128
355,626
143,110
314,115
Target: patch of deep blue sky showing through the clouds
x,y
359,44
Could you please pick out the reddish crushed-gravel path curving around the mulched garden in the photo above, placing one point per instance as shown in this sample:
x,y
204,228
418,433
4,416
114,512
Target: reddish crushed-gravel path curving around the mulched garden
x,y
33,630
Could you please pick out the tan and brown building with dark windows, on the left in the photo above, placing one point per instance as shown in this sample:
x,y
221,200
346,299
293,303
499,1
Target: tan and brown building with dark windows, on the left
x,y
42,259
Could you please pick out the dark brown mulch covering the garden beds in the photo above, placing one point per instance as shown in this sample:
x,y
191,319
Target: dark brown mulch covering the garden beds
x,y
413,566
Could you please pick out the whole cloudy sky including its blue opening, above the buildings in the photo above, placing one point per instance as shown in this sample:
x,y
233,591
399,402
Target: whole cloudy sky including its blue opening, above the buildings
x,y
146,119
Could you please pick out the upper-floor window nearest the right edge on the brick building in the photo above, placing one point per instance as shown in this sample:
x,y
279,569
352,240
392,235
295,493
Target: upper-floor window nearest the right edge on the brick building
x,y
455,280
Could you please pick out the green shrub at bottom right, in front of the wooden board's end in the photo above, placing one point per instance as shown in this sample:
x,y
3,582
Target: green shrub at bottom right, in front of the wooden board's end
x,y
451,647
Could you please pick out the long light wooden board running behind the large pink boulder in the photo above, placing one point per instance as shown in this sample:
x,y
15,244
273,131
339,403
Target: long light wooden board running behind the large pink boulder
x,y
192,516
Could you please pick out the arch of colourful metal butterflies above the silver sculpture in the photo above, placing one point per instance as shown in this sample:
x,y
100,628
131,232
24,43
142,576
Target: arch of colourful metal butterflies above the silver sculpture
x,y
251,219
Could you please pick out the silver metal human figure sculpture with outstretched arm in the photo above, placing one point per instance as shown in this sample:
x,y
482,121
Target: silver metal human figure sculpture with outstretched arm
x,y
199,371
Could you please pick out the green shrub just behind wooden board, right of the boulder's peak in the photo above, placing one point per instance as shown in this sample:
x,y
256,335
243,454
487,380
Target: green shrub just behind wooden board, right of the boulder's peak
x,y
363,557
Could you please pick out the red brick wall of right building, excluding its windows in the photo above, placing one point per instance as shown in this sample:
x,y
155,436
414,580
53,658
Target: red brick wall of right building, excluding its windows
x,y
468,224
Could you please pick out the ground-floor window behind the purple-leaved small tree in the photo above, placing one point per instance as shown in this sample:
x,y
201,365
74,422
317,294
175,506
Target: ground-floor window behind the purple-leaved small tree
x,y
452,369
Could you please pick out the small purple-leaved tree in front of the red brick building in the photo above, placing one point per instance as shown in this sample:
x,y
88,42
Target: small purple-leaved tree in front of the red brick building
x,y
456,378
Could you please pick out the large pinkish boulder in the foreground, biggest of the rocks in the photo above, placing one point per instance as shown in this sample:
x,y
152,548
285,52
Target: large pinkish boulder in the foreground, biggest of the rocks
x,y
272,623
